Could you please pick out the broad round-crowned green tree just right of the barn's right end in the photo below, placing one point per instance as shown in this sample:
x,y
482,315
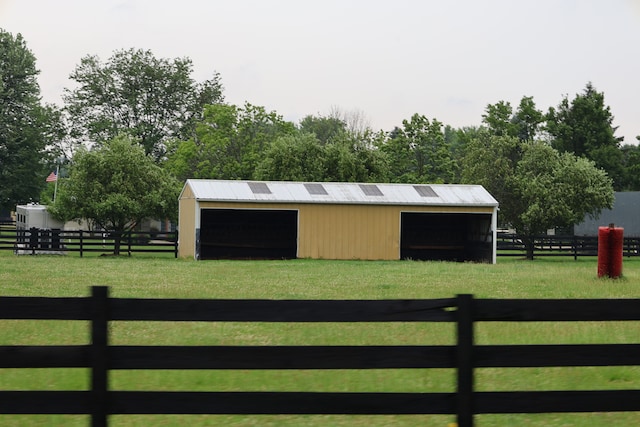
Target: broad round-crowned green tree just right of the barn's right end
x,y
538,188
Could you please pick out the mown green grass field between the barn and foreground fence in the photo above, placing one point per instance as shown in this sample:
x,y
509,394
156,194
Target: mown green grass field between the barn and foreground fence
x,y
160,277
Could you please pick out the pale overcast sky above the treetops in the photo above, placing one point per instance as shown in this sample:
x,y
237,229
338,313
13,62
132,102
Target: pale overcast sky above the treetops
x,y
385,59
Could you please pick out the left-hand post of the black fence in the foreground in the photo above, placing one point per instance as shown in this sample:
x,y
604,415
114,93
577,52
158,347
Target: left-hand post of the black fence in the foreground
x,y
99,356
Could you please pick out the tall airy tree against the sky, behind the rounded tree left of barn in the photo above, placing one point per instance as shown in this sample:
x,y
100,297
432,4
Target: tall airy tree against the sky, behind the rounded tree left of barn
x,y
134,92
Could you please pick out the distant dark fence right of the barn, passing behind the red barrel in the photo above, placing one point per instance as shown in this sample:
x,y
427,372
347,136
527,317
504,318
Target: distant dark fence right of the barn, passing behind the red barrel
x,y
575,246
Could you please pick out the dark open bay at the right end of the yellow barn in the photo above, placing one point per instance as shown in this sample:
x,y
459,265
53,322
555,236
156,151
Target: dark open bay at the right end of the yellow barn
x,y
446,236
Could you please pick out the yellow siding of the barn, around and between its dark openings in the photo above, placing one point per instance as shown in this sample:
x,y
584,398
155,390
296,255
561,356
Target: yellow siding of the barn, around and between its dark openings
x,y
339,231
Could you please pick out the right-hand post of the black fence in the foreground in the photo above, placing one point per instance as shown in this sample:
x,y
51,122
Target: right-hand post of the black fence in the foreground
x,y
464,360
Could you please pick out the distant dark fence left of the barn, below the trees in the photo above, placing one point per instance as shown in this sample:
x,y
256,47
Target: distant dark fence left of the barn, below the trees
x,y
38,241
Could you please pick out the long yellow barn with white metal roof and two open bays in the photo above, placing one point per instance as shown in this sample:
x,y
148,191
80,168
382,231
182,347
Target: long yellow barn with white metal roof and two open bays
x,y
222,219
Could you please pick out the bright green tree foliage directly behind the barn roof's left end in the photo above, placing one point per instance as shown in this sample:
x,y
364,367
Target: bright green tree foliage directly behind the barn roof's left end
x,y
230,143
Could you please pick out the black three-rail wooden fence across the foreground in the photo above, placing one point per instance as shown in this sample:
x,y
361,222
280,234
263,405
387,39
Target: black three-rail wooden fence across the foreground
x,y
464,356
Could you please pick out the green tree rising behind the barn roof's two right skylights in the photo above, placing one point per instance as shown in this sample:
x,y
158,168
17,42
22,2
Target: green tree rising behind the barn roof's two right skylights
x,y
418,152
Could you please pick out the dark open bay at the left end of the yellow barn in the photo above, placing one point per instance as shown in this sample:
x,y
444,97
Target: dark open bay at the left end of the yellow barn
x,y
248,234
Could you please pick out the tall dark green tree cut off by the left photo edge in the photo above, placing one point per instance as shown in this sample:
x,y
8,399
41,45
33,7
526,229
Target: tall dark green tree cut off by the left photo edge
x,y
24,125
